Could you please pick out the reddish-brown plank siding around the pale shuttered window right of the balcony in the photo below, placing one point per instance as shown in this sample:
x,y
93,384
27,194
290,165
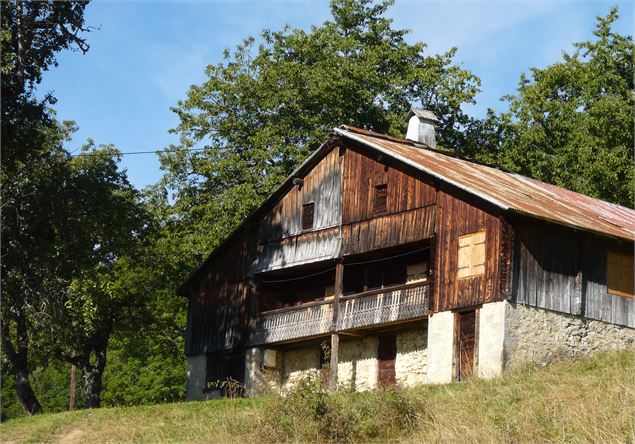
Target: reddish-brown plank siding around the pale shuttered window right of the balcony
x,y
458,214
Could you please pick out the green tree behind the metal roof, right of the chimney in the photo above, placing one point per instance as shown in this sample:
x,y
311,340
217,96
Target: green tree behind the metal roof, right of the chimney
x,y
571,123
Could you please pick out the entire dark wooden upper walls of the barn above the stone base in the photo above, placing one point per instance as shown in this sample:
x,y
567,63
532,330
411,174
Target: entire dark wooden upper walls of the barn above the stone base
x,y
352,204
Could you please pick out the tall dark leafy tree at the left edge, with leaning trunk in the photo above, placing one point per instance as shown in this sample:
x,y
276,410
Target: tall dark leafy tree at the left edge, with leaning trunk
x,y
31,34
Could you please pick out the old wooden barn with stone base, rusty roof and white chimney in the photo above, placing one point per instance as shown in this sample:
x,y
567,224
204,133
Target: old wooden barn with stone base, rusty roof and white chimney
x,y
386,261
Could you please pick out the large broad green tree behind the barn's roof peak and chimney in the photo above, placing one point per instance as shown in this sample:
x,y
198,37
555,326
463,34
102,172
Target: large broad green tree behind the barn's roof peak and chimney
x,y
264,109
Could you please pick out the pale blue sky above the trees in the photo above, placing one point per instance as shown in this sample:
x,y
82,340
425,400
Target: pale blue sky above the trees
x,y
146,54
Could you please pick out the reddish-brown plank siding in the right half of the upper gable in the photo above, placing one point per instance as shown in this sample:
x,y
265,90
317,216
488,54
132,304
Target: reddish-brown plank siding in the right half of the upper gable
x,y
363,173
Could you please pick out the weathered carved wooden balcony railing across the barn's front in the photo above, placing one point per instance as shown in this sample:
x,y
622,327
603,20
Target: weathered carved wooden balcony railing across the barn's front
x,y
361,310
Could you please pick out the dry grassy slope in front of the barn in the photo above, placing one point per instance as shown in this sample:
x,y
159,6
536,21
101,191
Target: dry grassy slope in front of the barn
x,y
592,399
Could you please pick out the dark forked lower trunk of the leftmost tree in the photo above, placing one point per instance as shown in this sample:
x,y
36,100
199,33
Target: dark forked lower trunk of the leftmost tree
x,y
18,359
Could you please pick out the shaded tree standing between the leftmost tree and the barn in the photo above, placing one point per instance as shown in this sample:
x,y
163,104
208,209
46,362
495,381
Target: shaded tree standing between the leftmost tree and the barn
x,y
104,219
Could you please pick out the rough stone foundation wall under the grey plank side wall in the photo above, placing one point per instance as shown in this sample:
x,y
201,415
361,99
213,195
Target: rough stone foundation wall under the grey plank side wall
x,y
542,336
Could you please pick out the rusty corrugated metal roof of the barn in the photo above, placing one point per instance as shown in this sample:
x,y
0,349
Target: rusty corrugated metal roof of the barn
x,y
506,190
